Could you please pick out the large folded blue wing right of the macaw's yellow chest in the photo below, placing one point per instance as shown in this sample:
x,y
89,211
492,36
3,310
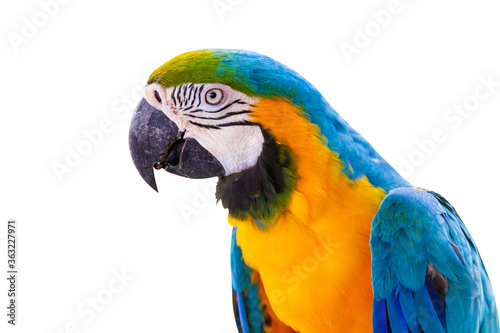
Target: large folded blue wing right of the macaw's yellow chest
x,y
426,269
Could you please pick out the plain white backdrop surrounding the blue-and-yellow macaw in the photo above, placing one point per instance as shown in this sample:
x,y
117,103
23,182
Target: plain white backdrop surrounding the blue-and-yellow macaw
x,y
86,61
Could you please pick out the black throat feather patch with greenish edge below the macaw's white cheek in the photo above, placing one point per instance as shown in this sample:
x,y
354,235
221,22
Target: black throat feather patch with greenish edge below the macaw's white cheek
x,y
261,191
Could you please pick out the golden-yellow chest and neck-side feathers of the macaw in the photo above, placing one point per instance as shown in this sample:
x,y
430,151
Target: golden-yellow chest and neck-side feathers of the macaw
x,y
314,261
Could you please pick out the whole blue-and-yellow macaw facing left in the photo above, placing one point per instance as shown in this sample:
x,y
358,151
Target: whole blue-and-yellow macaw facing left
x,y
327,236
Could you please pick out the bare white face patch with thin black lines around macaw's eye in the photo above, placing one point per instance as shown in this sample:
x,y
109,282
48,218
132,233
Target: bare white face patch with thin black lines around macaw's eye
x,y
216,116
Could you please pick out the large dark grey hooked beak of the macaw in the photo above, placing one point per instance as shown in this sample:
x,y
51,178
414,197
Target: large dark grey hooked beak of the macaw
x,y
156,142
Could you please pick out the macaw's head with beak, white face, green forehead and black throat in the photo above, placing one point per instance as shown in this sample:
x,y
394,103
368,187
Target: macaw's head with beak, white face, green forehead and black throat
x,y
195,121
